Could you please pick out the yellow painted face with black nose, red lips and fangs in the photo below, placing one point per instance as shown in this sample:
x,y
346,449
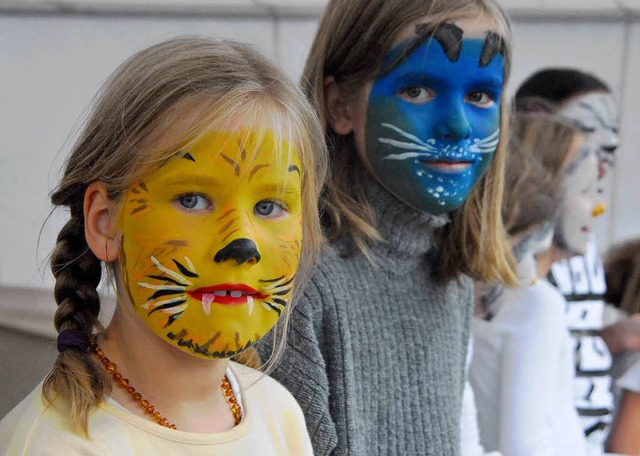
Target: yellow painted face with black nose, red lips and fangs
x,y
212,241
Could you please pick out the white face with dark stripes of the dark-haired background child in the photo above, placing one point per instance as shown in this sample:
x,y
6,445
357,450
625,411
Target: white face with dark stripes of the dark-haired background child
x,y
595,114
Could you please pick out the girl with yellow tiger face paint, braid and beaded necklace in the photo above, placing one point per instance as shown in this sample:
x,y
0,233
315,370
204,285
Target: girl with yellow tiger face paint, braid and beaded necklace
x,y
196,180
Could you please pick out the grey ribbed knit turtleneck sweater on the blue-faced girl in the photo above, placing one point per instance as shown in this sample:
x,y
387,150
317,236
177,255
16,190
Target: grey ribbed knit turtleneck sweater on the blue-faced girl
x,y
375,354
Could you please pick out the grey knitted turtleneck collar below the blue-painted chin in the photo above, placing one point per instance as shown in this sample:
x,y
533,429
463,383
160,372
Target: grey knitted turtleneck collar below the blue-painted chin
x,y
406,232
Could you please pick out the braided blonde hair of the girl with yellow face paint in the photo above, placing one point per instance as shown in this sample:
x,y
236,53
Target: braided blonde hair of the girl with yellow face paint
x,y
196,82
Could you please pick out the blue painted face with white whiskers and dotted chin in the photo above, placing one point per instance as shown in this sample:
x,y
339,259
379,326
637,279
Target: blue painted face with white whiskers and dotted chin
x,y
433,123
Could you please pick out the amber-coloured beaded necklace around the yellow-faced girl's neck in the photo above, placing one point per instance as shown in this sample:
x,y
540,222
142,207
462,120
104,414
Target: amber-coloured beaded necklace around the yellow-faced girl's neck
x,y
149,409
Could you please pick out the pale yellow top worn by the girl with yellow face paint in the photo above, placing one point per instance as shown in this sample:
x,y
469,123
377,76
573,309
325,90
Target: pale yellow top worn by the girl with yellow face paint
x,y
272,424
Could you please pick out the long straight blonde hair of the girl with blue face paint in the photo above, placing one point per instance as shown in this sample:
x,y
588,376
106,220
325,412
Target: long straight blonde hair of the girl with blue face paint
x,y
353,38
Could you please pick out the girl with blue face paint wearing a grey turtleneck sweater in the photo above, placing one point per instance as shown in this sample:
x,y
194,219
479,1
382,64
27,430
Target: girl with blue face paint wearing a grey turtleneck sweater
x,y
410,93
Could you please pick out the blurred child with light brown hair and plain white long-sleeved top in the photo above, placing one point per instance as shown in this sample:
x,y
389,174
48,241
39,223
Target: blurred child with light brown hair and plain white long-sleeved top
x,y
522,368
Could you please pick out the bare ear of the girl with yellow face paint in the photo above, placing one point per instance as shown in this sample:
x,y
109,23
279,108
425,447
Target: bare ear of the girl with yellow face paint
x,y
100,216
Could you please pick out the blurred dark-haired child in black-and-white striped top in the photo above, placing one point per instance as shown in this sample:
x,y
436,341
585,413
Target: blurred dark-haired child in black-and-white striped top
x,y
586,101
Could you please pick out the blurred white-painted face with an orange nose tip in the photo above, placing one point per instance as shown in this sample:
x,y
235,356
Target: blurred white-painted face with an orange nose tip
x,y
581,203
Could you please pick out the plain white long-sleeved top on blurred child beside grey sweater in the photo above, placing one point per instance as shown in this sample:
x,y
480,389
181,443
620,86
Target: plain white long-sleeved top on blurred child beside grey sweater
x,y
522,373
